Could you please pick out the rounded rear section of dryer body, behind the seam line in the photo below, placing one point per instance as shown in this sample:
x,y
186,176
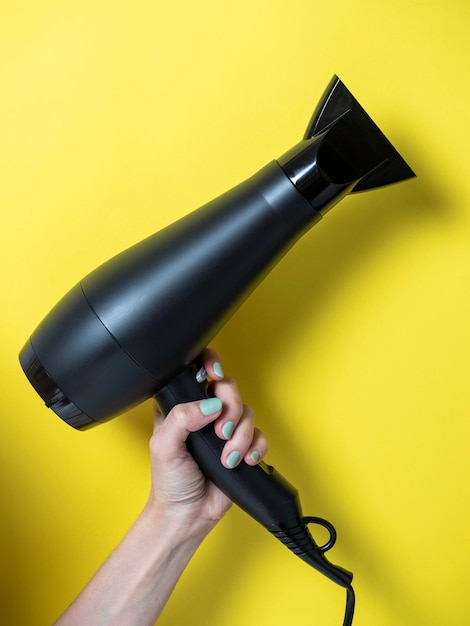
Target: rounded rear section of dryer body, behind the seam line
x,y
86,364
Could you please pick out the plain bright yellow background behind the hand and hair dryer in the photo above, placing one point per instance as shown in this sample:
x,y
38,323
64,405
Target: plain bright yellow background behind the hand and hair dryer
x,y
118,117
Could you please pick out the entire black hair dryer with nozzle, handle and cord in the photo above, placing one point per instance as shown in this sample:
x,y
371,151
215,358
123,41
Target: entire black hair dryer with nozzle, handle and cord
x,y
134,327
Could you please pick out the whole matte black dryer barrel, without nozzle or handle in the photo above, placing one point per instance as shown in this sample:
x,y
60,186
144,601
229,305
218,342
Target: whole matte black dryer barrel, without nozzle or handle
x,y
137,320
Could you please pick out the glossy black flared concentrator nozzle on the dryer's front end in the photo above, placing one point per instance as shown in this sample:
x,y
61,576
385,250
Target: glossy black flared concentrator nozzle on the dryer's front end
x,y
343,151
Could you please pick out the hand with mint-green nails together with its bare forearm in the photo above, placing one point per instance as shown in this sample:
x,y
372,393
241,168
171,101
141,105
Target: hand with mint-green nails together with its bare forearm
x,y
133,585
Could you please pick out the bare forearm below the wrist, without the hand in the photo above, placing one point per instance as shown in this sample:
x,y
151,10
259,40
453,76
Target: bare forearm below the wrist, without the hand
x,y
133,585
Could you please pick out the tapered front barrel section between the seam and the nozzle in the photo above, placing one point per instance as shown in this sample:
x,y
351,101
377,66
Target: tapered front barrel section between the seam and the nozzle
x,y
191,276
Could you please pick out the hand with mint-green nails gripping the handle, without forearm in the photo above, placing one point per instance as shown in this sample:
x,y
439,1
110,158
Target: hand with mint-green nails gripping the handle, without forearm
x,y
180,493
